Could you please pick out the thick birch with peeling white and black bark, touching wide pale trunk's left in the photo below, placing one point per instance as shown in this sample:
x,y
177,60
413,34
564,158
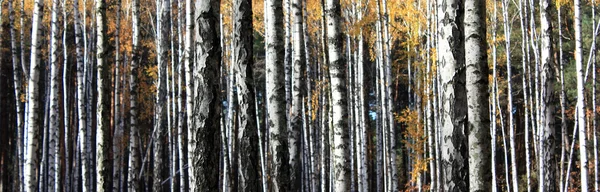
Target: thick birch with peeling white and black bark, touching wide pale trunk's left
x,y
453,111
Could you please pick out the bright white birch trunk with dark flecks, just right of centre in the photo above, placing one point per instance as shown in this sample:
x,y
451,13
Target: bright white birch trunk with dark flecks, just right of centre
x,y
341,166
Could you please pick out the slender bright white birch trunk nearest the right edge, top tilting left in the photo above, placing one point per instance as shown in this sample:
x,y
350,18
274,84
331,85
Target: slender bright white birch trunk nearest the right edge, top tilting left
x,y
580,99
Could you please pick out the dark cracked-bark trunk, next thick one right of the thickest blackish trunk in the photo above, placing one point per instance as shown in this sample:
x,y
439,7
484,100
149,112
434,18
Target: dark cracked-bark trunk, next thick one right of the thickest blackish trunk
x,y
247,136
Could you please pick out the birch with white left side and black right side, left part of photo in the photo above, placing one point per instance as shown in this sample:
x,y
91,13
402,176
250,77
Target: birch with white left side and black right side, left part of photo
x,y
103,134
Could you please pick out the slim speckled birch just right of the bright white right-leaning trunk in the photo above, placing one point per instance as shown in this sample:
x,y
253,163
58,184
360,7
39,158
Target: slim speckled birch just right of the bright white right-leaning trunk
x,y
53,150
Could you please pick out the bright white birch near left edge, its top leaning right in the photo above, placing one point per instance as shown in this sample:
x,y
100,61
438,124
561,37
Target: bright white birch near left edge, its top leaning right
x,y
33,118
